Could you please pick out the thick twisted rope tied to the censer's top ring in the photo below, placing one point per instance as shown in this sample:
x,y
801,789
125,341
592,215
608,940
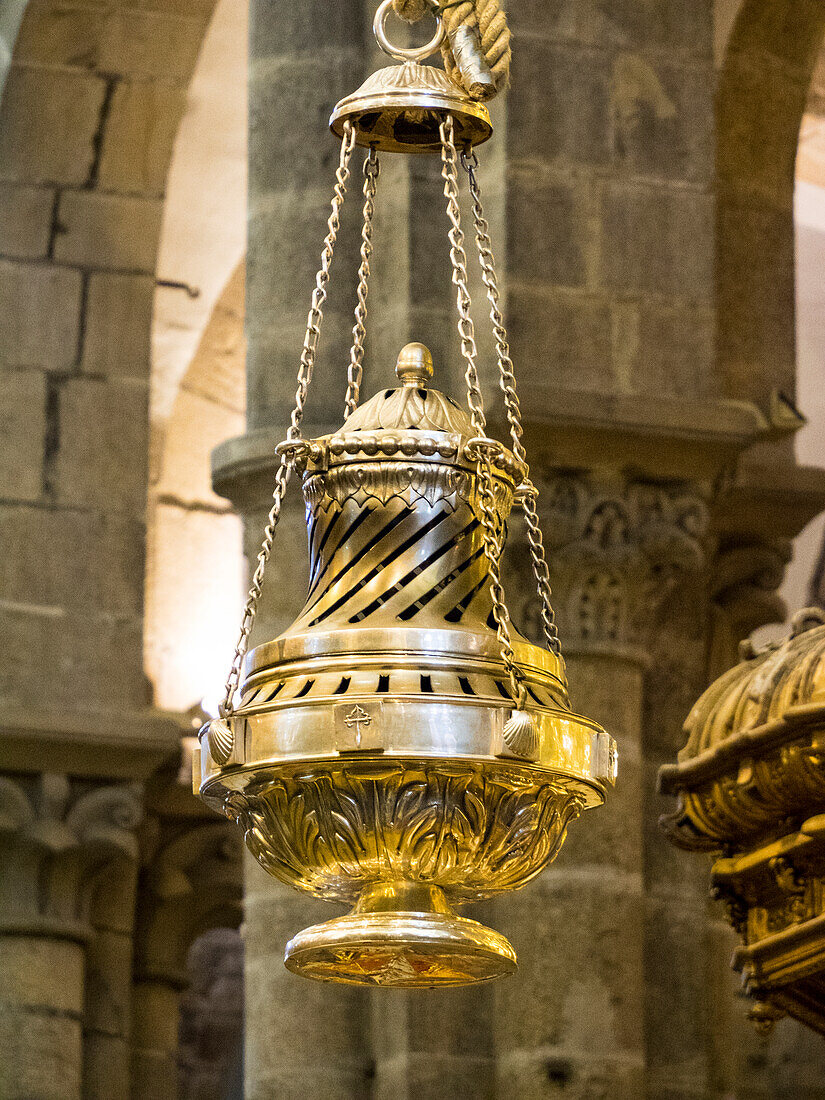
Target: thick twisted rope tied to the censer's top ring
x,y
477,50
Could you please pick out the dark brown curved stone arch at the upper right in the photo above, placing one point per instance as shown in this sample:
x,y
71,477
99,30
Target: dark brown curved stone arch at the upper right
x,y
762,98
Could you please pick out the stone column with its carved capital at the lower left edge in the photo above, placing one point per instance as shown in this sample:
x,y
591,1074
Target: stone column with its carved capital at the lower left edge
x,y
62,845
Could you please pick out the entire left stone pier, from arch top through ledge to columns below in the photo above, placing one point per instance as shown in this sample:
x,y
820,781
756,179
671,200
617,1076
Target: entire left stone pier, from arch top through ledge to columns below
x,y
91,105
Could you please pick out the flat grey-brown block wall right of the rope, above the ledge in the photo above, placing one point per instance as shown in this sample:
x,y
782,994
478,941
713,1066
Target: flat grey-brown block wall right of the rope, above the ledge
x,y
611,150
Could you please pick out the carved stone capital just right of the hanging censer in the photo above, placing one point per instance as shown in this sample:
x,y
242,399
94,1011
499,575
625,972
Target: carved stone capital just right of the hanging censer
x,y
615,551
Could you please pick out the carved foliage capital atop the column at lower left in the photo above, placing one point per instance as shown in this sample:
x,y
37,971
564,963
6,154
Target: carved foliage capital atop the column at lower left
x,y
60,838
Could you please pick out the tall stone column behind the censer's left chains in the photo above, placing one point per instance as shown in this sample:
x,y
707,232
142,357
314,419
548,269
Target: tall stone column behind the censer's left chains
x,y
302,1039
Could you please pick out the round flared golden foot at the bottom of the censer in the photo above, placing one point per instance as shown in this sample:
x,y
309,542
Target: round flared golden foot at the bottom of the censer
x,y
404,937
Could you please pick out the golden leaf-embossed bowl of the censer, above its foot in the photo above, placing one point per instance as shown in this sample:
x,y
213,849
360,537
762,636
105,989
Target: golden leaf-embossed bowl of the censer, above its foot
x,y
475,832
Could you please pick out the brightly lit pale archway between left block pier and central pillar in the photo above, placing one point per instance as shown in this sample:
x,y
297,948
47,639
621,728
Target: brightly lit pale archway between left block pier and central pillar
x,y
197,387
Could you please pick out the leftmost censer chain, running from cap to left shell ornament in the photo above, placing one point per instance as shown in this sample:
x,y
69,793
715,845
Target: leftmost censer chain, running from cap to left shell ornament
x,y
290,454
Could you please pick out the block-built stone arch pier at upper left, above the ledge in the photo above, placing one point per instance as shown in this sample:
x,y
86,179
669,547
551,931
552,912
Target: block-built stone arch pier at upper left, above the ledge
x,y
90,114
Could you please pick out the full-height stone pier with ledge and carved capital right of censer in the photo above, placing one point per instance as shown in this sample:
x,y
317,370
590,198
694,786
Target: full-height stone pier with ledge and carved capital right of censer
x,y
613,320
